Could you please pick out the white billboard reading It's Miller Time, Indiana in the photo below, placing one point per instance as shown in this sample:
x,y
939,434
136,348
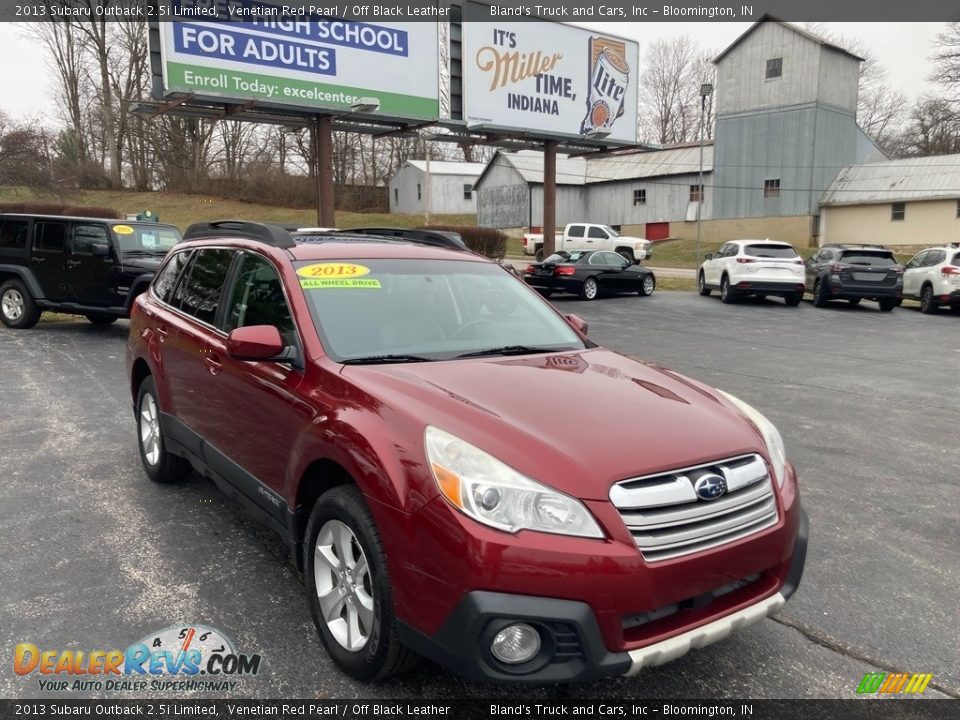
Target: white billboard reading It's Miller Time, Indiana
x,y
550,79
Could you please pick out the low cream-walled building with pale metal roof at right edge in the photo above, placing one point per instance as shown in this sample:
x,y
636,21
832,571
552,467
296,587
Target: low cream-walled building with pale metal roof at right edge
x,y
912,201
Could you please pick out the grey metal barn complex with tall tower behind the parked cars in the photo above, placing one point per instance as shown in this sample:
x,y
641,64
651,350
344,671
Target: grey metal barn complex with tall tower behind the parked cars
x,y
785,126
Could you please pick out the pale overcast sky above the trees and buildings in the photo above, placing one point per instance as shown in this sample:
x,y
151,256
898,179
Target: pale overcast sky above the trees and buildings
x,y
903,48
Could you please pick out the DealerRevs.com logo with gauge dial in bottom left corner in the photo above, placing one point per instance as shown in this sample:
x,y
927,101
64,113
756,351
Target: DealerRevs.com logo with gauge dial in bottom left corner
x,y
181,658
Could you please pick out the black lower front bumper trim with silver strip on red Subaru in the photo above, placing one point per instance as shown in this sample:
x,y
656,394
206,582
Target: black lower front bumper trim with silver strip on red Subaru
x,y
573,646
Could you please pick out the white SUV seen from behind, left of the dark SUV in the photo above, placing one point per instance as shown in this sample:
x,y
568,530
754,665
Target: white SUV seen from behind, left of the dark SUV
x,y
753,267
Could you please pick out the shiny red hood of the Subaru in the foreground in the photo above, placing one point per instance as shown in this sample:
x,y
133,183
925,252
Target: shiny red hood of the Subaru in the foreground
x,y
576,421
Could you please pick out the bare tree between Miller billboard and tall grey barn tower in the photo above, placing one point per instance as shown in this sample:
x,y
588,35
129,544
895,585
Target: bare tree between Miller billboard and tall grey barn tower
x,y
669,106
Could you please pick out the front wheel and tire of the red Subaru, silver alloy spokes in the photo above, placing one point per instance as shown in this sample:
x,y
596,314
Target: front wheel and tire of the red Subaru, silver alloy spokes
x,y
350,594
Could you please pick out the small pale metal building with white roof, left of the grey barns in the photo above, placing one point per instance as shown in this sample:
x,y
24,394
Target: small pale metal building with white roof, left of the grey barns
x,y
451,187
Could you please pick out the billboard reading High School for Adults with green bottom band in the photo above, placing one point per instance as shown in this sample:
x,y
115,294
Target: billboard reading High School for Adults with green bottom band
x,y
322,63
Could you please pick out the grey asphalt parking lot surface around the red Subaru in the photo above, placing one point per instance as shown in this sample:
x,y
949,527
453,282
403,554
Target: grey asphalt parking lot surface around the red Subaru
x,y
97,557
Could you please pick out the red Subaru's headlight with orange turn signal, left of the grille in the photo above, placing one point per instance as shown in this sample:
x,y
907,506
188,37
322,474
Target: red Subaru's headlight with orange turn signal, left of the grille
x,y
490,492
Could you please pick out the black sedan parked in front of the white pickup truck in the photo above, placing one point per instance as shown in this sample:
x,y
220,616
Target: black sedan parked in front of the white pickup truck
x,y
589,273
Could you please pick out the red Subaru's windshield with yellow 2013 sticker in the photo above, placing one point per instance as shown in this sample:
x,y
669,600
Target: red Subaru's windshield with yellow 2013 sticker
x,y
409,310
